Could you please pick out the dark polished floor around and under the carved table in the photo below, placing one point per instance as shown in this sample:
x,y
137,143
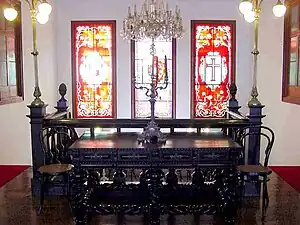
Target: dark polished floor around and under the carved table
x,y
18,208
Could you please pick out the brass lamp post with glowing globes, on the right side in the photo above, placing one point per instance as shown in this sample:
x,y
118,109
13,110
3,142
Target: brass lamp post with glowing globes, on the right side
x,y
251,10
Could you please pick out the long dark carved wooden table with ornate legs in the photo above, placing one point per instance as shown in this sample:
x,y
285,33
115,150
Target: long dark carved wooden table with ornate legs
x,y
212,189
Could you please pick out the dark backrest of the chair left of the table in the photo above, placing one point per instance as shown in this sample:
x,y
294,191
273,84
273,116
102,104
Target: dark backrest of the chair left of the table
x,y
55,142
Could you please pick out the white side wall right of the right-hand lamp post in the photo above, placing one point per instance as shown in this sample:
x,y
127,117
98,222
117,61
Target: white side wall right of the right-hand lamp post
x,y
282,117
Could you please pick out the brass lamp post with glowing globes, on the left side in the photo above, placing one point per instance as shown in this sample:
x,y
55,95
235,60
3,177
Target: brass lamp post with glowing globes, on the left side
x,y
40,11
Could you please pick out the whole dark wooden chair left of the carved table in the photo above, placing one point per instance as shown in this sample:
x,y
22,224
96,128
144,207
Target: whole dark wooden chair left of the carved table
x,y
55,143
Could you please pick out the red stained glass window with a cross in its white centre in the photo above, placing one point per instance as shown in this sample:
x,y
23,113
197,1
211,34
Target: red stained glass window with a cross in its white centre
x,y
213,66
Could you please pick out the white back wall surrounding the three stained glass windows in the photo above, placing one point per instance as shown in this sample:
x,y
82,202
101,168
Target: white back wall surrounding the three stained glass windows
x,y
68,10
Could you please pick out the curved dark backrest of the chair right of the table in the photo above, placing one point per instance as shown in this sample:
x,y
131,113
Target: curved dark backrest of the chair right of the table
x,y
262,131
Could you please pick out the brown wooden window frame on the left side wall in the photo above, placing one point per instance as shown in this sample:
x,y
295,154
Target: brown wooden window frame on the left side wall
x,y
18,57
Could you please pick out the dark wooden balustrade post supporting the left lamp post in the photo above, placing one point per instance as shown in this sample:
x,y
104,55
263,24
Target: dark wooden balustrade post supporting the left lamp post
x,y
36,116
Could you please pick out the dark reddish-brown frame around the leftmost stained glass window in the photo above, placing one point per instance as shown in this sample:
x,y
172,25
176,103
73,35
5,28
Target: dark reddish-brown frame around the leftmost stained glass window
x,y
74,24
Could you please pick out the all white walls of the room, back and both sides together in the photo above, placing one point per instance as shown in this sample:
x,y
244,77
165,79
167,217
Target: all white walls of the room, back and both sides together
x,y
54,42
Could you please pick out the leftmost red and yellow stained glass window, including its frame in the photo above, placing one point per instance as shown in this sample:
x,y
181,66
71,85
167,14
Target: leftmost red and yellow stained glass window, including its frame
x,y
94,69
